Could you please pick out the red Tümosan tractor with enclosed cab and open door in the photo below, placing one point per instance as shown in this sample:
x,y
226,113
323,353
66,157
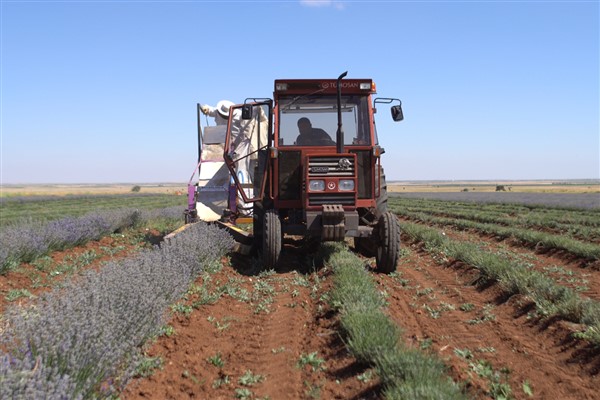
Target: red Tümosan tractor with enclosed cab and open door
x,y
308,162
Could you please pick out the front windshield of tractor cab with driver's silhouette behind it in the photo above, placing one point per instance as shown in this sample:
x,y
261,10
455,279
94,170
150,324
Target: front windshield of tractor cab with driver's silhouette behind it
x,y
312,120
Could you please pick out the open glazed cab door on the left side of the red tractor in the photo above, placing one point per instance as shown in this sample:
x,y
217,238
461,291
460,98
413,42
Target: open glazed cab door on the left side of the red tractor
x,y
247,142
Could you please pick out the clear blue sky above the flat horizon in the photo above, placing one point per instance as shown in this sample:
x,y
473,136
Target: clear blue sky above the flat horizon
x,y
106,91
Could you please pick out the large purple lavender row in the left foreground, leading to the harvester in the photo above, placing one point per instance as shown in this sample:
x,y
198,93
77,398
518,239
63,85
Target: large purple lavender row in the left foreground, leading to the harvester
x,y
84,340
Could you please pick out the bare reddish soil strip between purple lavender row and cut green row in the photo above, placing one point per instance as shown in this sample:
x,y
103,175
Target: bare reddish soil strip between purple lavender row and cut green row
x,y
283,322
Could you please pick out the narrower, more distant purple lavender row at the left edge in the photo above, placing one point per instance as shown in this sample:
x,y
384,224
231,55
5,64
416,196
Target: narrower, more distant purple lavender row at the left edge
x,y
24,243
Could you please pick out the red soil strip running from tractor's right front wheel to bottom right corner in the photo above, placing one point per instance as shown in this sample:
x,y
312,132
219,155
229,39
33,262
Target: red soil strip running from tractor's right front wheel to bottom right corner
x,y
484,337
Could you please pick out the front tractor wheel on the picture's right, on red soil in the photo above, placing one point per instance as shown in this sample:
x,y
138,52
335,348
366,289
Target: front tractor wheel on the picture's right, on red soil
x,y
388,249
